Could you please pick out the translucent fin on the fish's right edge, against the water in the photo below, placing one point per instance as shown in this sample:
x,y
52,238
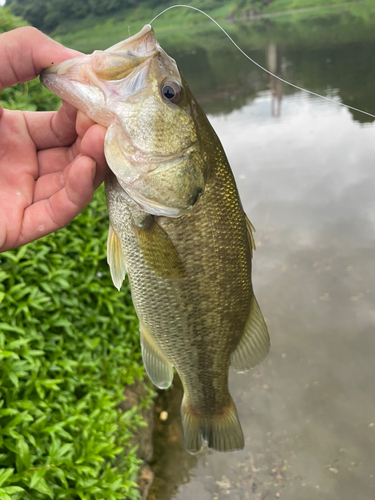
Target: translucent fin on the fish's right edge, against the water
x,y
254,344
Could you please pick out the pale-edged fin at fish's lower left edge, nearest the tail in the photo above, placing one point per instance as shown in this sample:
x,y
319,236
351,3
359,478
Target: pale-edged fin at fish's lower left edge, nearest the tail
x,y
158,368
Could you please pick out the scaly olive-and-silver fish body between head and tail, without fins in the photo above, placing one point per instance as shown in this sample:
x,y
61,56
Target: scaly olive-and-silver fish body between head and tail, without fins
x,y
205,312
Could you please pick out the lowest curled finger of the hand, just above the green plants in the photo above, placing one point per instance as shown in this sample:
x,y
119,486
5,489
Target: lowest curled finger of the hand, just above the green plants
x,y
51,214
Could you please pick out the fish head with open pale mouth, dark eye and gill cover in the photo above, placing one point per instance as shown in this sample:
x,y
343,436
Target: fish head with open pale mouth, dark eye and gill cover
x,y
152,144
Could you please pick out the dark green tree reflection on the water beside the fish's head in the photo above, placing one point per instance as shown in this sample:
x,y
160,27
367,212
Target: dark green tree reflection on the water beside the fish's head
x,y
223,81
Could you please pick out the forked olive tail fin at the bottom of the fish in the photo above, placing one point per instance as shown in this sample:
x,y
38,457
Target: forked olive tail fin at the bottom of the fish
x,y
222,432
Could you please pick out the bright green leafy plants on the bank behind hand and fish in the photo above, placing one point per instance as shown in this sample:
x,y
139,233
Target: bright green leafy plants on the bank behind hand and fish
x,y
69,345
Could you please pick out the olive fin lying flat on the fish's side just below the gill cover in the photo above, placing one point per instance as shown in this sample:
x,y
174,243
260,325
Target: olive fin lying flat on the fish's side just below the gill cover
x,y
157,249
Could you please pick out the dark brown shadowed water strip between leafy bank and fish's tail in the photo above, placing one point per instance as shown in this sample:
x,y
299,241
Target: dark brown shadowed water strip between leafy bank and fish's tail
x,y
171,463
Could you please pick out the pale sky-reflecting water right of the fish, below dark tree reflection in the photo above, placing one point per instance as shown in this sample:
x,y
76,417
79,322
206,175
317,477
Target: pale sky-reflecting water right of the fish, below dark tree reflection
x,y
307,183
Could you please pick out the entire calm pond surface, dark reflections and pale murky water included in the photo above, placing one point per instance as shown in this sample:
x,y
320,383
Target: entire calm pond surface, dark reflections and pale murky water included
x,y
305,169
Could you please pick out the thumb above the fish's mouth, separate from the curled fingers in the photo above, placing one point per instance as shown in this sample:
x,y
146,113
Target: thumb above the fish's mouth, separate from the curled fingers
x,y
25,52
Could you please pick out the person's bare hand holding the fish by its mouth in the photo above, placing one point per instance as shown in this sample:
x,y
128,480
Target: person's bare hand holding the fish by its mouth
x,y
50,162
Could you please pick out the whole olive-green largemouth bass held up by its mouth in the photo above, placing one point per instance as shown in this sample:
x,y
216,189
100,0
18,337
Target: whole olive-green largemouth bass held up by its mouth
x,y
177,228
